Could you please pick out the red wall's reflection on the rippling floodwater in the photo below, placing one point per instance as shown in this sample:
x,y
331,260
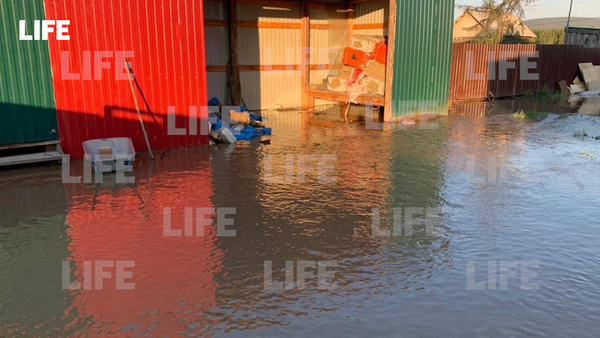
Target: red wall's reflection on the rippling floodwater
x,y
173,276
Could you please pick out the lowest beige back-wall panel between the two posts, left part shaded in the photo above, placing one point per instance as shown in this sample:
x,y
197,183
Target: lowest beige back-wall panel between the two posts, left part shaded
x,y
271,89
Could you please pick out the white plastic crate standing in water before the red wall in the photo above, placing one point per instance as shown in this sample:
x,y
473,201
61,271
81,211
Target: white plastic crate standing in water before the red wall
x,y
104,154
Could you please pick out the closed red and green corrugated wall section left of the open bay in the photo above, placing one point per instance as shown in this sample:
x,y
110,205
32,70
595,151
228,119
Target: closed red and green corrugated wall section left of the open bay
x,y
51,88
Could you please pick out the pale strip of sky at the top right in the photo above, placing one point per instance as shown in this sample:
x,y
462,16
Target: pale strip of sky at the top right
x,y
550,8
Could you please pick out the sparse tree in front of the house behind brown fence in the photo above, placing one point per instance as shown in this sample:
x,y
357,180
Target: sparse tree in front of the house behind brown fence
x,y
497,24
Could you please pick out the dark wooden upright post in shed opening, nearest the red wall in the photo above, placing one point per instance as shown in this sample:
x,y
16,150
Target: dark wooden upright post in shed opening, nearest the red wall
x,y
233,71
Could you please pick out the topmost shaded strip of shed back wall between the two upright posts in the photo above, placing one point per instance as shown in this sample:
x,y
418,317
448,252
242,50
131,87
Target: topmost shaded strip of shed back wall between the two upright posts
x,y
264,13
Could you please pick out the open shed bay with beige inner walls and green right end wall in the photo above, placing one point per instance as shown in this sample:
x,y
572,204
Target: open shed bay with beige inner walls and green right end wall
x,y
270,55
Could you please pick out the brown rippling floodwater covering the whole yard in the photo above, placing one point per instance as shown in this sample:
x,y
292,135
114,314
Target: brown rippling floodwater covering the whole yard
x,y
517,204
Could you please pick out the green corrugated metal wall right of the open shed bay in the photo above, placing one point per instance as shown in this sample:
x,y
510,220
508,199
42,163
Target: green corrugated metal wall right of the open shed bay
x,y
423,53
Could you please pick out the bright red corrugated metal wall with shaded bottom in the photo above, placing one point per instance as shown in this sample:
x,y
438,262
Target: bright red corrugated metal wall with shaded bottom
x,y
167,39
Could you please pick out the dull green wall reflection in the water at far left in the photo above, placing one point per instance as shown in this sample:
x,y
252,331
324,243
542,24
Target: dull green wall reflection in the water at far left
x,y
32,245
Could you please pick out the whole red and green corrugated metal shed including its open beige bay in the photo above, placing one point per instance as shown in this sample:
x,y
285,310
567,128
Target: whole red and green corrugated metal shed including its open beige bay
x,y
165,43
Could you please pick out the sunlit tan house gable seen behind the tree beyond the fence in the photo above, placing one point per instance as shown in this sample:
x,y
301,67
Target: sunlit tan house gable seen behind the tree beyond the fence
x,y
469,25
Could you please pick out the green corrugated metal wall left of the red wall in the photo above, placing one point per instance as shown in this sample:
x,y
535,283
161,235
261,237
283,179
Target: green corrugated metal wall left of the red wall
x,y
27,108
